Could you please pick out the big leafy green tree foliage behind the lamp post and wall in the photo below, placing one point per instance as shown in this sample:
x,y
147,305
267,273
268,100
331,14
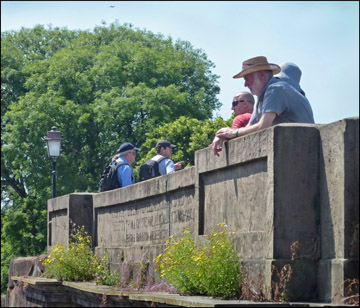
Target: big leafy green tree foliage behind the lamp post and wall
x,y
100,88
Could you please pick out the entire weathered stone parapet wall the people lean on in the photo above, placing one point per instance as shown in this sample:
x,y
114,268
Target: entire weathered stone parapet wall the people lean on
x,y
289,183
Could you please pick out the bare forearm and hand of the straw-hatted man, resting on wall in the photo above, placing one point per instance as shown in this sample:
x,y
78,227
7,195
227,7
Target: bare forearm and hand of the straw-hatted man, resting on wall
x,y
266,121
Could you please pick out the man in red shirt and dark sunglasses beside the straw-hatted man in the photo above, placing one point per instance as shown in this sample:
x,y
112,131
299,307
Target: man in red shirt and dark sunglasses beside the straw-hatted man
x,y
242,105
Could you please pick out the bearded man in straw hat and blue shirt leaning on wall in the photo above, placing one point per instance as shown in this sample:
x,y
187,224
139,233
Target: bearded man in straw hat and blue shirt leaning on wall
x,y
278,100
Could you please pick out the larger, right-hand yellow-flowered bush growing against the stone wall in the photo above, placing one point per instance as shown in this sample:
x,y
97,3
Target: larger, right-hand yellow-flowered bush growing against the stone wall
x,y
211,269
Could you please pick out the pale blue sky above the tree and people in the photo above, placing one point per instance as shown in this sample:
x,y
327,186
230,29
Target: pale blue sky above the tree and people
x,y
321,37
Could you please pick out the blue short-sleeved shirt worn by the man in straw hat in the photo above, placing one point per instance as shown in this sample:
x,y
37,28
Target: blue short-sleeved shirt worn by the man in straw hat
x,y
290,105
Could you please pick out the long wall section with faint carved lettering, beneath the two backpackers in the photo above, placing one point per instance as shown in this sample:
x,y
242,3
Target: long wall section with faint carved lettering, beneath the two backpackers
x,y
138,219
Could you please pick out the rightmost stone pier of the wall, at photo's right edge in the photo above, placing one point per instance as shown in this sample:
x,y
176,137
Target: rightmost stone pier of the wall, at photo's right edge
x,y
339,206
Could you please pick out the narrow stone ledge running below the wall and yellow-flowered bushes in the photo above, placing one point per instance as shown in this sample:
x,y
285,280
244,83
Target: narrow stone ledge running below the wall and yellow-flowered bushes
x,y
161,297
